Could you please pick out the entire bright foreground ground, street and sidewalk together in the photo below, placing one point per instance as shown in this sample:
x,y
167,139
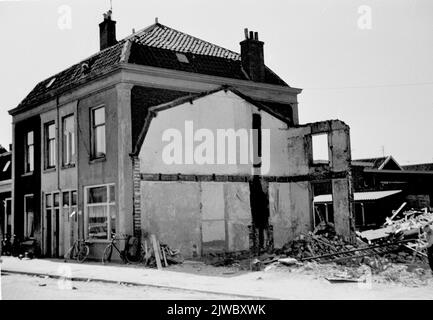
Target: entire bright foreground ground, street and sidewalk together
x,y
281,283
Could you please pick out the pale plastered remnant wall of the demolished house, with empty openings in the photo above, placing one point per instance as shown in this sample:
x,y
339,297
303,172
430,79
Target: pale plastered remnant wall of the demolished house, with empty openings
x,y
201,211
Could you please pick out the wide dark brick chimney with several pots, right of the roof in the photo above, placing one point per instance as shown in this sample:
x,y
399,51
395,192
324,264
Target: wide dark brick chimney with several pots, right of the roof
x,y
252,56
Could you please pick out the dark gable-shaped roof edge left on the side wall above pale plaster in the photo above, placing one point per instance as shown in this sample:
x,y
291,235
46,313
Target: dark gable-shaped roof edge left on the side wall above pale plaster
x,y
182,99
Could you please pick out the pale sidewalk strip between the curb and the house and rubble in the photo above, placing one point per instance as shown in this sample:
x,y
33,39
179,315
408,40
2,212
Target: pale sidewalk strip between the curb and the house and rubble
x,y
258,285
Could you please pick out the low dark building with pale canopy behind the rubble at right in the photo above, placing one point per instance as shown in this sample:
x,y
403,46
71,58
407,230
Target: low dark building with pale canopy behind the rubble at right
x,y
381,185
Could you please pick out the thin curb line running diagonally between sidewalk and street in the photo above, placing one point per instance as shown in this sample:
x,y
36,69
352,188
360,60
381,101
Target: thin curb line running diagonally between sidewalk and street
x,y
82,279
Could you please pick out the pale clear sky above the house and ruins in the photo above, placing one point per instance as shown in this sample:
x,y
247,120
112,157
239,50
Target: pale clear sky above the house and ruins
x,y
367,63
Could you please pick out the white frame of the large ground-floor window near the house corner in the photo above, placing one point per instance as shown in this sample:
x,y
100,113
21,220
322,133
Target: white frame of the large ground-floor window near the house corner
x,y
107,204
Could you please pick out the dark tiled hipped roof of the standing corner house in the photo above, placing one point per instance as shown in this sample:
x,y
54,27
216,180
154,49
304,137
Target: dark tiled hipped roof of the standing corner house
x,y
155,46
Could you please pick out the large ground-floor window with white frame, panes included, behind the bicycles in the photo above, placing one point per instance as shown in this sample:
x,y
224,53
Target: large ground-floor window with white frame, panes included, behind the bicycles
x,y
101,212
